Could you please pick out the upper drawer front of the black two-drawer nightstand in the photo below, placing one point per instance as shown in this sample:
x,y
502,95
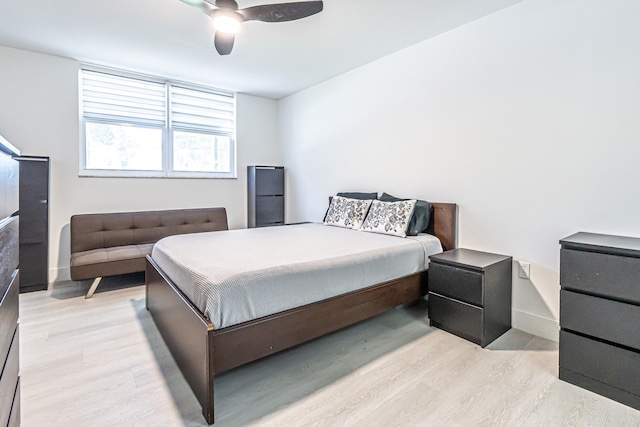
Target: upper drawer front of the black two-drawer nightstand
x,y
458,283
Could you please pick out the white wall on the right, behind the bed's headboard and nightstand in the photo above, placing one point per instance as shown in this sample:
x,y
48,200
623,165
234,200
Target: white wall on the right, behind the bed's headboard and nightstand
x,y
529,119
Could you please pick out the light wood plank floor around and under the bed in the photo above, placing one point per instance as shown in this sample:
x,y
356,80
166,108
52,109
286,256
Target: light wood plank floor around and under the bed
x,y
101,362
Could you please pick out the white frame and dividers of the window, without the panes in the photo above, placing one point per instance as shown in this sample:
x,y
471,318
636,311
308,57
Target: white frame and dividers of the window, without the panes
x,y
167,131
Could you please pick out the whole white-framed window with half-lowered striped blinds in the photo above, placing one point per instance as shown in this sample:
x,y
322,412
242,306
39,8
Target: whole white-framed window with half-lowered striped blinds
x,y
133,126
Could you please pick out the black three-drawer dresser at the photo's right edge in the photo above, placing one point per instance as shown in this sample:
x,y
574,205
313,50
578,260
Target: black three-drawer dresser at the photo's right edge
x,y
600,315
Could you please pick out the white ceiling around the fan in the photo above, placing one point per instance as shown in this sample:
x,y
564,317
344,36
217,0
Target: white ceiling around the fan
x,y
170,39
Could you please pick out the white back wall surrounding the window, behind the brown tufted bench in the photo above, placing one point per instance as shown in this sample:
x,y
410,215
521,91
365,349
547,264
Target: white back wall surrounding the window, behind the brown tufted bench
x,y
39,115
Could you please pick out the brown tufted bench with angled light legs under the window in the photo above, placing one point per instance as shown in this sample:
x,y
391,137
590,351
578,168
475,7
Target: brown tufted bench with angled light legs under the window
x,y
109,244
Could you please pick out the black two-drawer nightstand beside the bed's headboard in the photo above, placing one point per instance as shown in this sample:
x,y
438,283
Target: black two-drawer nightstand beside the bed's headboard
x,y
470,294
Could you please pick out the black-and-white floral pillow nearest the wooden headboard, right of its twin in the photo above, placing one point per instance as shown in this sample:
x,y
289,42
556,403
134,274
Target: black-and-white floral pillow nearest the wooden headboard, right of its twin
x,y
389,217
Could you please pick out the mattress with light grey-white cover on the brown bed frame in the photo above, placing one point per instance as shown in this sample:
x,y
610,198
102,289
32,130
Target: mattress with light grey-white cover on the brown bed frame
x,y
239,275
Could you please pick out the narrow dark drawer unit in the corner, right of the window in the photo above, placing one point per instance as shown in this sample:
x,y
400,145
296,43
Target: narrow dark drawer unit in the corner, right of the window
x,y
265,190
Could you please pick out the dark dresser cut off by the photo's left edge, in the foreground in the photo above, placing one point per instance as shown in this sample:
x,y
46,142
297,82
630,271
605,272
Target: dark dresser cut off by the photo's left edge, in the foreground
x,y
9,288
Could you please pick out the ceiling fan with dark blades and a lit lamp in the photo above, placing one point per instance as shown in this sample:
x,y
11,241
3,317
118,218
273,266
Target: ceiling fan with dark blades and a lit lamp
x,y
227,17
